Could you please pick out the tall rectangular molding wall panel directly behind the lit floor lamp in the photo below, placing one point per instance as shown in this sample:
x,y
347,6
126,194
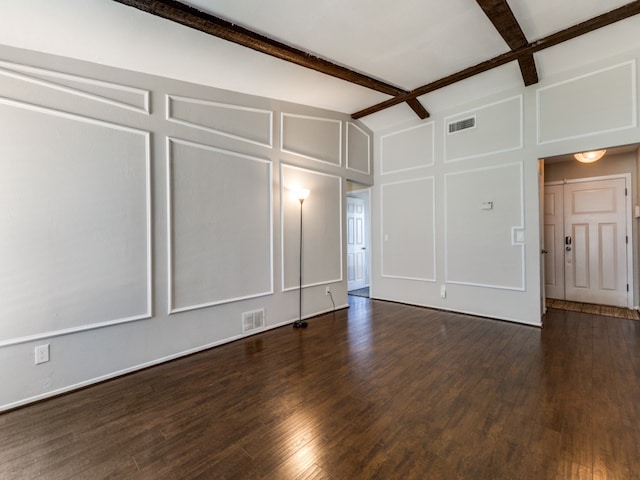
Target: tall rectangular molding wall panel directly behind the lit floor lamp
x,y
322,228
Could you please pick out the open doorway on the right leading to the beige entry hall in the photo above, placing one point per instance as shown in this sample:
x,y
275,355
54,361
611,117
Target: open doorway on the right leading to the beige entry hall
x,y
589,228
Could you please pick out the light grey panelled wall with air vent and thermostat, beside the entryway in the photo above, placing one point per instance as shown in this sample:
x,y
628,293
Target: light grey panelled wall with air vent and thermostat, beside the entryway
x,y
431,230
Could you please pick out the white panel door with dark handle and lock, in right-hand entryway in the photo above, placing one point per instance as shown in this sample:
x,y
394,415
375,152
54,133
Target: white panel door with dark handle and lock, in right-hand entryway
x,y
595,249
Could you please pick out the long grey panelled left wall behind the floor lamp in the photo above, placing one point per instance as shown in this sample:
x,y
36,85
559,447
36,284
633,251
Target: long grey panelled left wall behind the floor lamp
x,y
142,216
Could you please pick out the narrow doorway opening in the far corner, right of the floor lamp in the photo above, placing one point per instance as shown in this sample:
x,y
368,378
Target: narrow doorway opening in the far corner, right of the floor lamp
x,y
358,240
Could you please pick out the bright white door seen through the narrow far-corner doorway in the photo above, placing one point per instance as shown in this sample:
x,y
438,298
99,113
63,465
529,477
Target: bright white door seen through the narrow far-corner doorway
x,y
356,247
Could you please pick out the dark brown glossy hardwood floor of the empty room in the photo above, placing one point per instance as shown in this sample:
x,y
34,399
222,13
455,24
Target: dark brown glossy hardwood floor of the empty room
x,y
380,390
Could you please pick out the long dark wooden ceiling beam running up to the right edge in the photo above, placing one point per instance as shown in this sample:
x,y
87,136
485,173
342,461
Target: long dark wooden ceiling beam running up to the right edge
x,y
616,15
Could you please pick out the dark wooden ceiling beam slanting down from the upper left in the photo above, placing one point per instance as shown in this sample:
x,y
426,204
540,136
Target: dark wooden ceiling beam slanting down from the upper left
x,y
191,17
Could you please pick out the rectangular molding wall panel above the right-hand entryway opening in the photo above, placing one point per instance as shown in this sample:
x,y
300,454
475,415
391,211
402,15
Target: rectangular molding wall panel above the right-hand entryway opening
x,y
569,109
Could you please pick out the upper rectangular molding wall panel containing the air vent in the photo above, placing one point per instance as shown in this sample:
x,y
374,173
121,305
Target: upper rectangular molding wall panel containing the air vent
x,y
498,128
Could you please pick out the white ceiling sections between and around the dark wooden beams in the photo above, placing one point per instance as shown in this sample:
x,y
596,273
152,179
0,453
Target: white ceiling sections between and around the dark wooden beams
x,y
407,43
